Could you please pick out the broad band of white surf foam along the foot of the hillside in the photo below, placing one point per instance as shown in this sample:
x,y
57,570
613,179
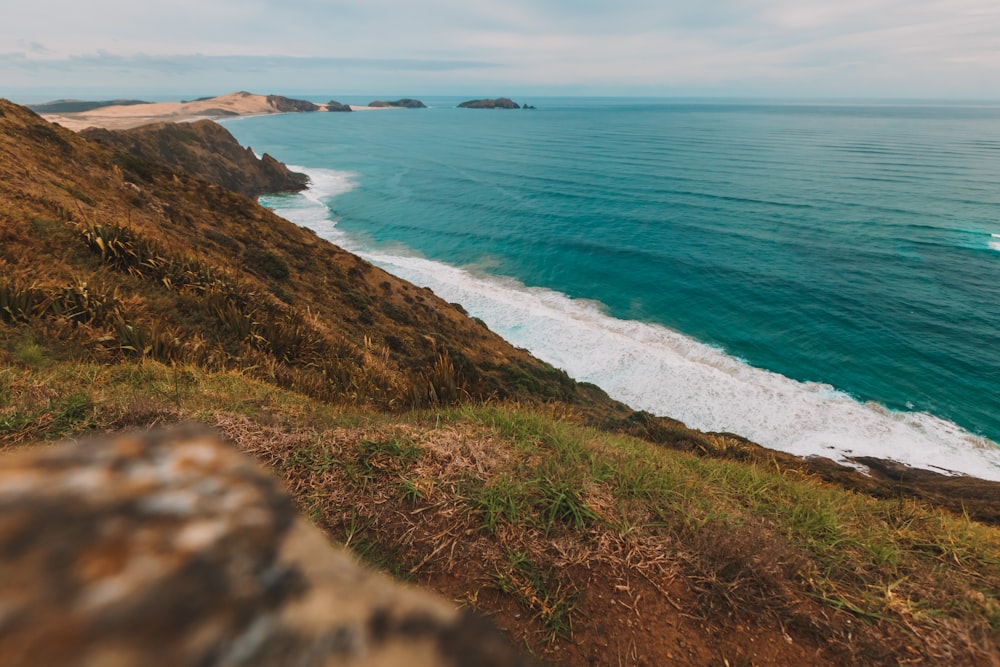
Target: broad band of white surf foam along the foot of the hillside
x,y
653,368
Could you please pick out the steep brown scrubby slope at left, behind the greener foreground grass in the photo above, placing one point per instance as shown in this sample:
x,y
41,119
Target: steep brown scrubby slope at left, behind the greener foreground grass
x,y
114,257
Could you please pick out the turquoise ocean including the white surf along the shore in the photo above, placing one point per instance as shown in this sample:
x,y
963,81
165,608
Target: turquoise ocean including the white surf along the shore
x,y
821,278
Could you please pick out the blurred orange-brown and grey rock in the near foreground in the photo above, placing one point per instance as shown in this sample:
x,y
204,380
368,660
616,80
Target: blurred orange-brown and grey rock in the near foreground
x,y
173,548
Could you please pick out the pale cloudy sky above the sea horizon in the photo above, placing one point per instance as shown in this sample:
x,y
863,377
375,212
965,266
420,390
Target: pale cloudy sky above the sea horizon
x,y
99,49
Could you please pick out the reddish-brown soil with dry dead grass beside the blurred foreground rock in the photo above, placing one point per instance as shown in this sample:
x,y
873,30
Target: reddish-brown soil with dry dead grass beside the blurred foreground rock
x,y
641,599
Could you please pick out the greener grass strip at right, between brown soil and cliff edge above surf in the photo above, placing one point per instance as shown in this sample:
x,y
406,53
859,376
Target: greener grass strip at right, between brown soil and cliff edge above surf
x,y
848,551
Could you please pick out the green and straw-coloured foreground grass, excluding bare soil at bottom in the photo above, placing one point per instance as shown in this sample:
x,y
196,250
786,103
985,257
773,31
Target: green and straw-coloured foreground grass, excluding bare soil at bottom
x,y
518,501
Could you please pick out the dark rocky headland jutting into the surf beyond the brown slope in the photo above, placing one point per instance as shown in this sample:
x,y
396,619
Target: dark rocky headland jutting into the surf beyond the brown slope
x,y
207,150
